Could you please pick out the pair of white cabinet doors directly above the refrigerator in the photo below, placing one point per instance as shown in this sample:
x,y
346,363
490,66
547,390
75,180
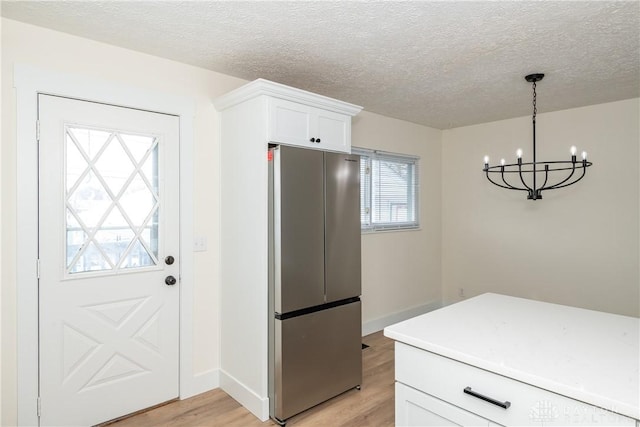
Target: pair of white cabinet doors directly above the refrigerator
x,y
292,123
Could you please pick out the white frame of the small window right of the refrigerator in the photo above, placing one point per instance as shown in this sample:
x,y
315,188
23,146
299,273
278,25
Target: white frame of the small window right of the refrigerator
x,y
366,187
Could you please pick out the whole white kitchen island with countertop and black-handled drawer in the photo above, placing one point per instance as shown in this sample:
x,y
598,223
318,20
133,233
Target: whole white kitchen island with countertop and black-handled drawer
x,y
500,360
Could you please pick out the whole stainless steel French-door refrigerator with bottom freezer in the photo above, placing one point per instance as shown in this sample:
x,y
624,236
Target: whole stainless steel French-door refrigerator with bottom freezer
x,y
315,328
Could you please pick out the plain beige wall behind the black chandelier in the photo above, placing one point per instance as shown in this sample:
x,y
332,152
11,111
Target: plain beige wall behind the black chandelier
x,y
577,246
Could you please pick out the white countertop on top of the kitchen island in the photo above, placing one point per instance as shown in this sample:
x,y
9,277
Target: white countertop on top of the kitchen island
x,y
586,355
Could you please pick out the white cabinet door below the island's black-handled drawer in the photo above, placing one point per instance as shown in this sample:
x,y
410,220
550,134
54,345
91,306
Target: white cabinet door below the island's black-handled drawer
x,y
414,408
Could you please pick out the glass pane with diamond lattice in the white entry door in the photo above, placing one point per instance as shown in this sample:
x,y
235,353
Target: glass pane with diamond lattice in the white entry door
x,y
112,200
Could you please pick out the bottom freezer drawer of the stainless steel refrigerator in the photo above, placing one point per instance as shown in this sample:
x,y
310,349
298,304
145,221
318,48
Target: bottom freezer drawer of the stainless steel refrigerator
x,y
317,356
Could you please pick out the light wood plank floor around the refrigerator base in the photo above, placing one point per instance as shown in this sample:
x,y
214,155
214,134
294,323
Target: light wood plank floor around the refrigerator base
x,y
372,406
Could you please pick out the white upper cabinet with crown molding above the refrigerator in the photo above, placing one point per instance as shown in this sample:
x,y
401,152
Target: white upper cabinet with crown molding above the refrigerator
x,y
296,117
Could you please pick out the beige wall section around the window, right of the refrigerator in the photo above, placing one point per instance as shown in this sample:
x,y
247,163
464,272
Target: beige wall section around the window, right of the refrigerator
x,y
401,270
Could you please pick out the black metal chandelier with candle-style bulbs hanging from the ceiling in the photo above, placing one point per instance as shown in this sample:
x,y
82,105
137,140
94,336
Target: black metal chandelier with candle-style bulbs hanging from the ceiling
x,y
567,168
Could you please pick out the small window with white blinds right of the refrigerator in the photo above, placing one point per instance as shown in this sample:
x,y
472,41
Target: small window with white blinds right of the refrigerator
x,y
388,190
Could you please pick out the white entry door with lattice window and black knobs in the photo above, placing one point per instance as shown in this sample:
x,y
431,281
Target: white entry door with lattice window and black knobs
x,y
109,267
